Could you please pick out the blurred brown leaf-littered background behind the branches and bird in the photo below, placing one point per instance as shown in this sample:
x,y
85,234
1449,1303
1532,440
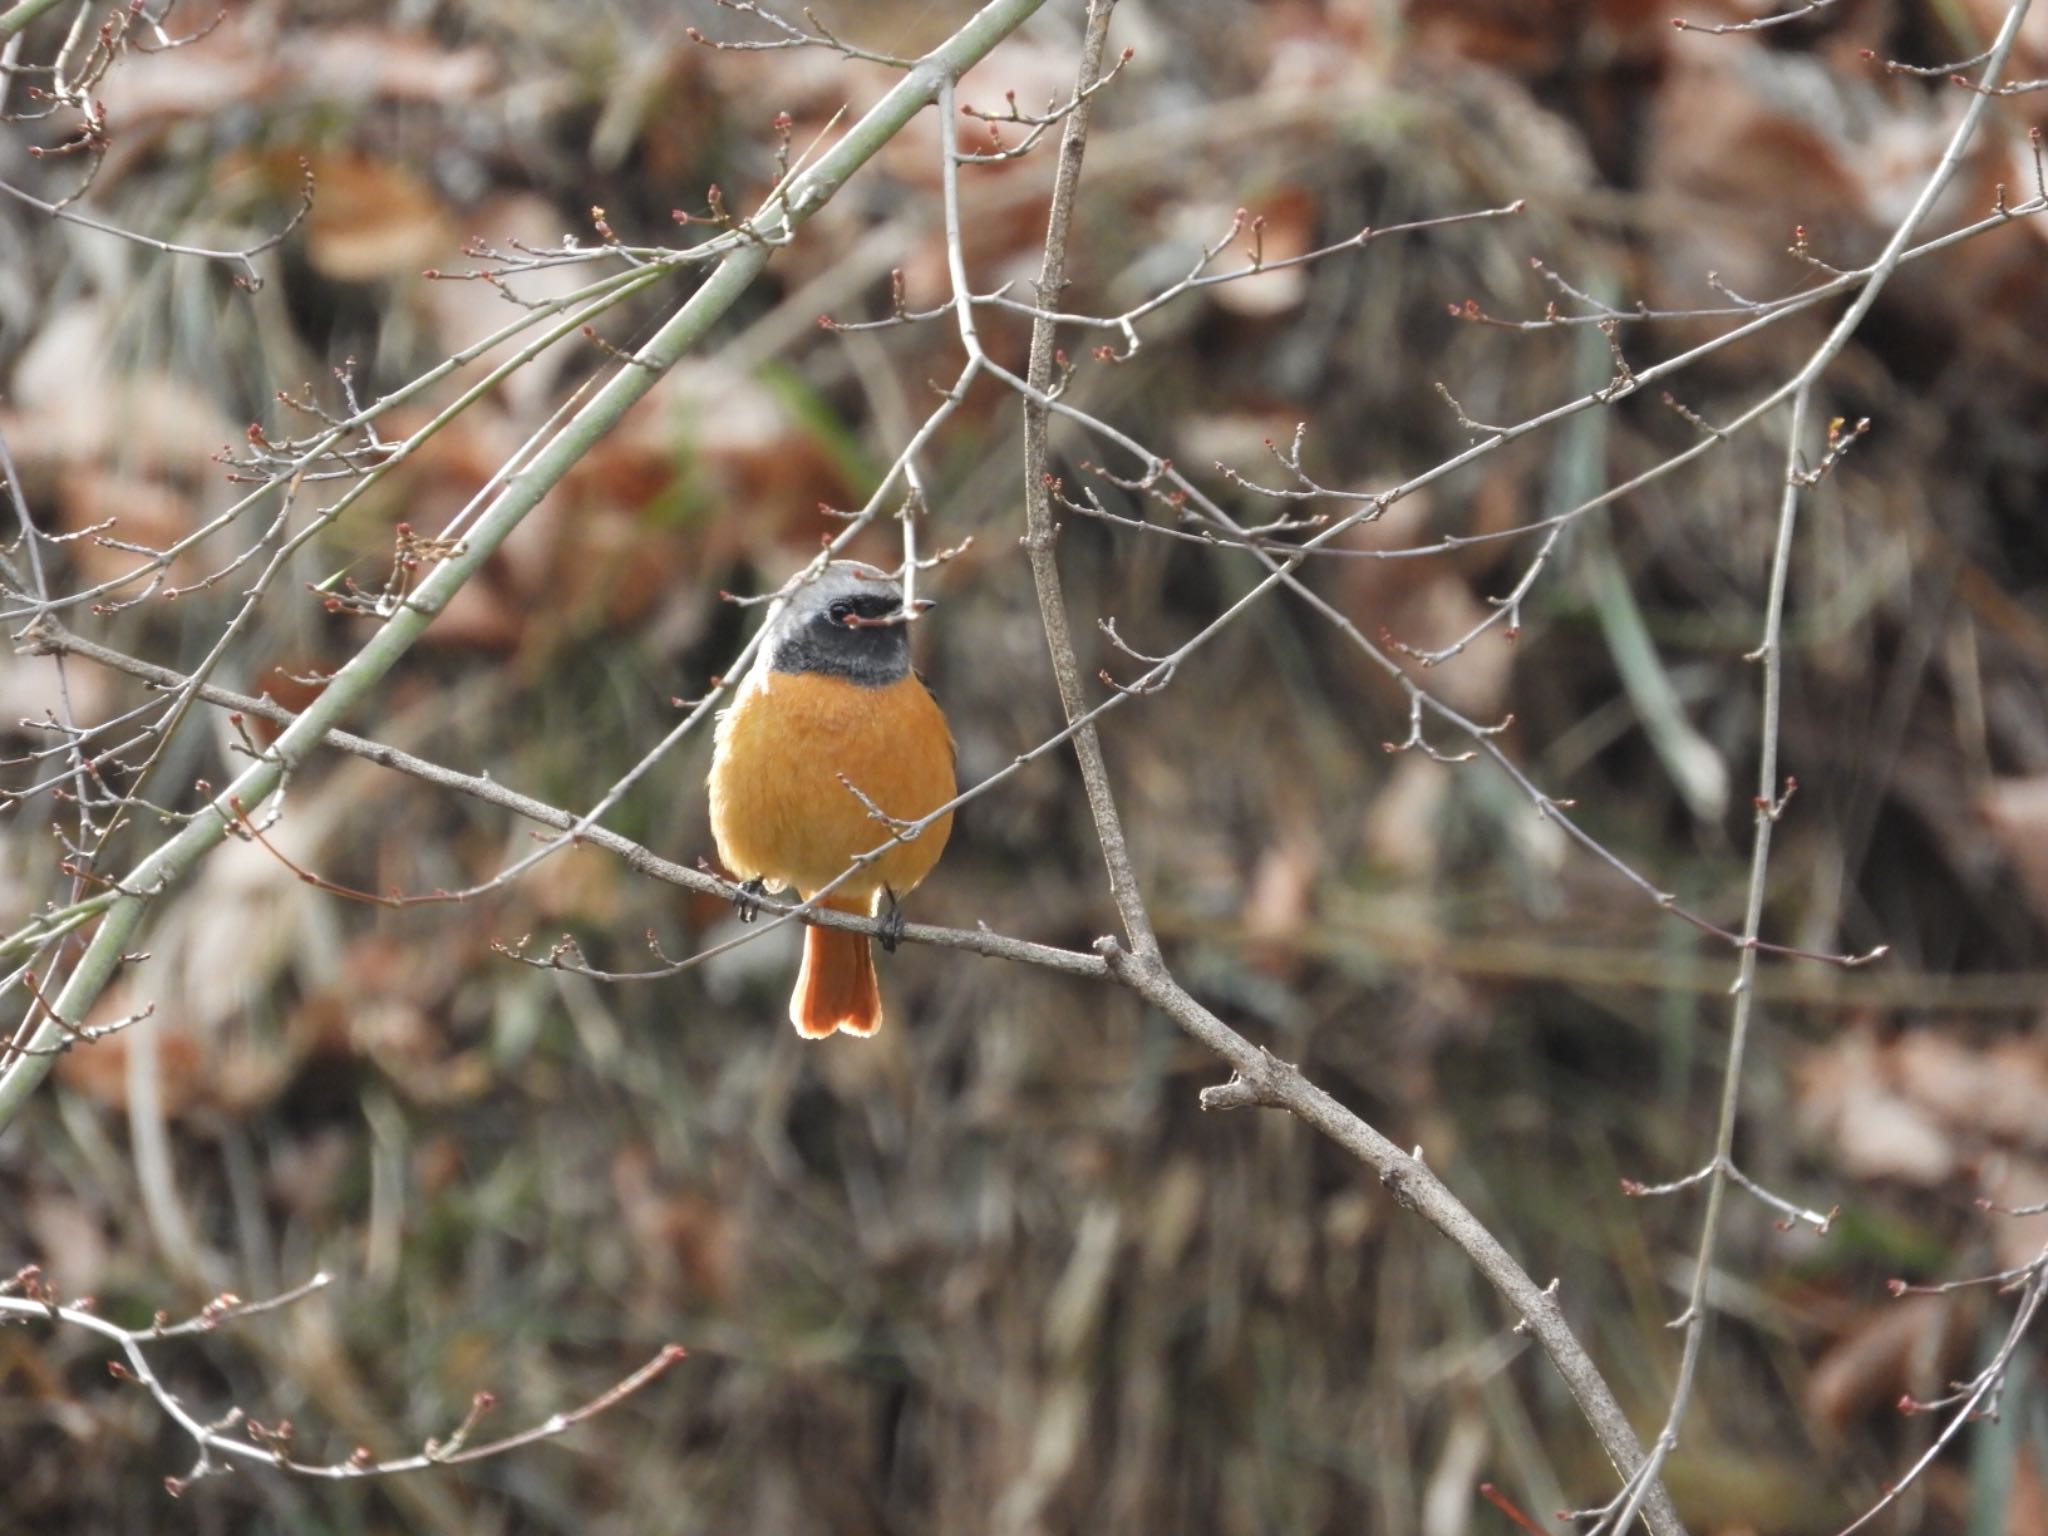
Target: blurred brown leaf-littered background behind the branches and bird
x,y
994,1271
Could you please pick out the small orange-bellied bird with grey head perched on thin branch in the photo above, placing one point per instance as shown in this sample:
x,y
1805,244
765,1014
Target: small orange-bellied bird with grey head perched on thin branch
x,y
830,708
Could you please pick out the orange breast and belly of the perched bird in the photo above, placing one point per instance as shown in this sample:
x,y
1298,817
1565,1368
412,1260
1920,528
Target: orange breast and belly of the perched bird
x,y
779,810
